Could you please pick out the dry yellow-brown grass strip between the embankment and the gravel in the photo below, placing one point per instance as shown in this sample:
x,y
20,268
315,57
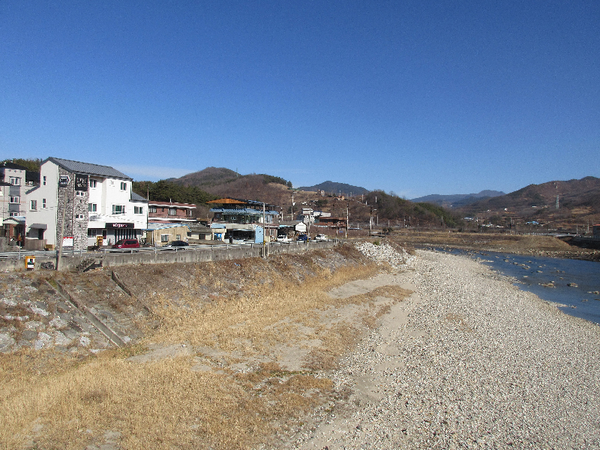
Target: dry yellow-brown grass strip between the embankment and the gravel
x,y
230,372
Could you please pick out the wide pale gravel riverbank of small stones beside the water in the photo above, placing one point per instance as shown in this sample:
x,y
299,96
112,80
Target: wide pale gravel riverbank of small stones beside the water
x,y
469,361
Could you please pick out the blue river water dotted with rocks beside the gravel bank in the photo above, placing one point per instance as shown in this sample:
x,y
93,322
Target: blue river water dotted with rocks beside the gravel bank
x,y
573,284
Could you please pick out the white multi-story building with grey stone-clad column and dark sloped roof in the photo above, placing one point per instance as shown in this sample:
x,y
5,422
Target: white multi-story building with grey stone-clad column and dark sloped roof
x,y
84,204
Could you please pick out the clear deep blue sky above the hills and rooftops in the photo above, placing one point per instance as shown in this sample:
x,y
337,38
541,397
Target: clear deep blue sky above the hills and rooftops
x,y
412,97
